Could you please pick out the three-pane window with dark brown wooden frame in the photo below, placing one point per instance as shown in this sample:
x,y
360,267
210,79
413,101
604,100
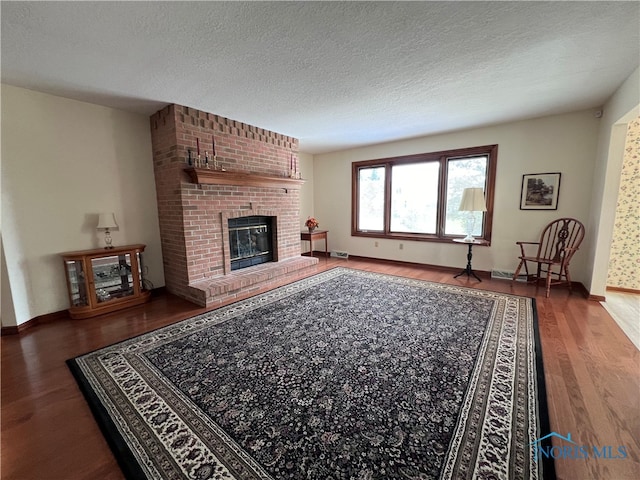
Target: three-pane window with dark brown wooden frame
x,y
417,197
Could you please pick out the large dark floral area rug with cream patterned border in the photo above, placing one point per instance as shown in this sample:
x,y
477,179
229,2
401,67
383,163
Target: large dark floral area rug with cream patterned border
x,y
344,375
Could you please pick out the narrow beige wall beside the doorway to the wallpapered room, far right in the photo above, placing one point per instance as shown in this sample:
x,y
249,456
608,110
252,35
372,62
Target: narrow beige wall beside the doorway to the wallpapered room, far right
x,y
622,107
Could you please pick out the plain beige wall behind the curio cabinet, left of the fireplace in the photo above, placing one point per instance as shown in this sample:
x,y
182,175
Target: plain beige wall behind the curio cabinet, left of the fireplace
x,y
63,162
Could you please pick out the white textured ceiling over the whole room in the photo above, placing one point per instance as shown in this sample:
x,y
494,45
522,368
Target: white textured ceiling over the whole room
x,y
333,74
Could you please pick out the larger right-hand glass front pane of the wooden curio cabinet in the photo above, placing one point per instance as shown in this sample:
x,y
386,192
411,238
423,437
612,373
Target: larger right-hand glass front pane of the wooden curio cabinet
x,y
113,277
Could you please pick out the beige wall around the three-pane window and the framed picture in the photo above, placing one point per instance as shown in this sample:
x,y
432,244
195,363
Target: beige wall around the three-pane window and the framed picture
x,y
560,143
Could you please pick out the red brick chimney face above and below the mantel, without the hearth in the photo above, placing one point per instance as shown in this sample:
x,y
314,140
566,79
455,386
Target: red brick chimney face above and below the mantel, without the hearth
x,y
193,217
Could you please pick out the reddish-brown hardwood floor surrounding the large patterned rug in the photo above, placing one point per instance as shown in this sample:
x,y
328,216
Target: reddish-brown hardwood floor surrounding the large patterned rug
x,y
591,369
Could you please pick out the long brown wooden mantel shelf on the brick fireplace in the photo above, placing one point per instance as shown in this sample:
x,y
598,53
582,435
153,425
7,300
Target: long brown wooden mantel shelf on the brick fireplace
x,y
205,176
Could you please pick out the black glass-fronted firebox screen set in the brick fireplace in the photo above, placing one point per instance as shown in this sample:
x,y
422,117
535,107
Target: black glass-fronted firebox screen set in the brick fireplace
x,y
250,241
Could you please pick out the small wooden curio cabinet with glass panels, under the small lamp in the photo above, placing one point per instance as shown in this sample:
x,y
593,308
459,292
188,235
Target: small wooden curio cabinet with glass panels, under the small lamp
x,y
104,280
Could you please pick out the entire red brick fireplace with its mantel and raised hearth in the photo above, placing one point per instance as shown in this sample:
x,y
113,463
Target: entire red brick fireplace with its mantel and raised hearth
x,y
250,178
